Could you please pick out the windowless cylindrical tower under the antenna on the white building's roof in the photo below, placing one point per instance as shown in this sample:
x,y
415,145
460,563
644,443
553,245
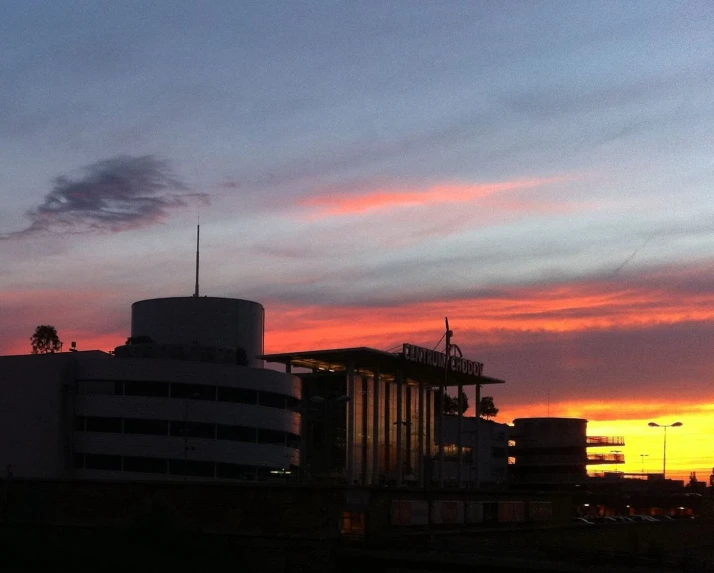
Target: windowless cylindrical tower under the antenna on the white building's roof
x,y
203,321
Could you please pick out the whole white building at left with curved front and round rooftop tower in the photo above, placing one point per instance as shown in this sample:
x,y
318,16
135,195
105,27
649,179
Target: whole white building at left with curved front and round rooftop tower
x,y
187,399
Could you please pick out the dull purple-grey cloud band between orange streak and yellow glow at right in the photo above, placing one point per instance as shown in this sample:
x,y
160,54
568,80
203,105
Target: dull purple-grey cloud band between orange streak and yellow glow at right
x,y
658,363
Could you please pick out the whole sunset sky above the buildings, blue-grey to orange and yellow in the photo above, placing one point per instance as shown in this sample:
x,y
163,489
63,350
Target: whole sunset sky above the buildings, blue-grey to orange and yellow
x,y
539,172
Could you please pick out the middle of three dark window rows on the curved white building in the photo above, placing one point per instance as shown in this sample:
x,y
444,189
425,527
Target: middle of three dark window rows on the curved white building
x,y
186,429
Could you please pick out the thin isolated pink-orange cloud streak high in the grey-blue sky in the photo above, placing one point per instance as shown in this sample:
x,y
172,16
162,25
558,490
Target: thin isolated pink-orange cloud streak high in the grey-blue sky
x,y
342,203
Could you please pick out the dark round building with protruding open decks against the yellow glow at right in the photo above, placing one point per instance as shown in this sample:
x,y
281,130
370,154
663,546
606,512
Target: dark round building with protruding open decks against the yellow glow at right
x,y
554,451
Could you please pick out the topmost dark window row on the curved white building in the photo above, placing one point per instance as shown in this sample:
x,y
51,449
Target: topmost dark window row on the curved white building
x,y
207,392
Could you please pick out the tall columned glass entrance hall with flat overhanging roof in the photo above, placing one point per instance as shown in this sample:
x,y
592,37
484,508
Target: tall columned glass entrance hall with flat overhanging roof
x,y
371,417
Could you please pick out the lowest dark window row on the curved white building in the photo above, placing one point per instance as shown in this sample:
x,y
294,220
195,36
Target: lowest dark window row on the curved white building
x,y
172,467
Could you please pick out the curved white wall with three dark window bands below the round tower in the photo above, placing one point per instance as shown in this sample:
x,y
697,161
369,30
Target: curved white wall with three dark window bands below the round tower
x,y
163,419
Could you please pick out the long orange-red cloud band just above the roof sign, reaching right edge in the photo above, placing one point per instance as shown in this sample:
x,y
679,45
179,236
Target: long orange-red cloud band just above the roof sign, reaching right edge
x,y
574,307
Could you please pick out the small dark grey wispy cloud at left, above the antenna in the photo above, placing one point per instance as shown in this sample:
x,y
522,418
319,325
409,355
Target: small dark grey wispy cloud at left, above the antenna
x,y
113,195
